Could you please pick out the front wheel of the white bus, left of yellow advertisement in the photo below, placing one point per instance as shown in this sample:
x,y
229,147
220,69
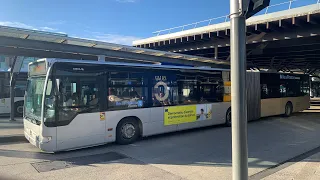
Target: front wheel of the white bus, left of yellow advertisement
x,y
128,131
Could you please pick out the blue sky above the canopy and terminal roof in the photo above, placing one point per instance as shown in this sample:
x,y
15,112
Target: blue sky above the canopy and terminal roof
x,y
114,21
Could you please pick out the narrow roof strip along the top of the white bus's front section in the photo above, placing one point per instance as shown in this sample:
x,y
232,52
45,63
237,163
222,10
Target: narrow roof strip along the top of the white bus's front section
x,y
54,60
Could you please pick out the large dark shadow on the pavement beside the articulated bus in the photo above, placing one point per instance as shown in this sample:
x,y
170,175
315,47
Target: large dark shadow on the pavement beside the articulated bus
x,y
271,141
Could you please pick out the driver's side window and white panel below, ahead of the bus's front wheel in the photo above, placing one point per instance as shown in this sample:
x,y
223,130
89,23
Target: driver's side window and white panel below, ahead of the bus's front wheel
x,y
79,121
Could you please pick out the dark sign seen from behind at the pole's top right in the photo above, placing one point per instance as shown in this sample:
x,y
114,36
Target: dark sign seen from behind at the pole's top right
x,y
251,7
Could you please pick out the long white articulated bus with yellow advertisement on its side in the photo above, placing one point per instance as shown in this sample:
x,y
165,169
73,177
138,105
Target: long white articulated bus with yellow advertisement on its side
x,y
71,104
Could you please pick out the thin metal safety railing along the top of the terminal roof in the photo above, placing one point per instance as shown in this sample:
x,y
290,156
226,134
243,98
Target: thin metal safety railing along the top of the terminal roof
x,y
272,8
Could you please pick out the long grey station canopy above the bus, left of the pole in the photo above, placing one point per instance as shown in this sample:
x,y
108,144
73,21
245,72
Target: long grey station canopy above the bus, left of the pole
x,y
34,41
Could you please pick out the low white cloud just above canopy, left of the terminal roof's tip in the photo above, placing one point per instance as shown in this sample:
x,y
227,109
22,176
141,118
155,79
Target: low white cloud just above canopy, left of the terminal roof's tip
x,y
113,38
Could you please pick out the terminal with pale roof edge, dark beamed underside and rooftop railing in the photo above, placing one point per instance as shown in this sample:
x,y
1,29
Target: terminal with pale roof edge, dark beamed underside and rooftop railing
x,y
285,40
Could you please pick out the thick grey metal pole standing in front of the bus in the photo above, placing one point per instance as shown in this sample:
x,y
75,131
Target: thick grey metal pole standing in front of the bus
x,y
238,93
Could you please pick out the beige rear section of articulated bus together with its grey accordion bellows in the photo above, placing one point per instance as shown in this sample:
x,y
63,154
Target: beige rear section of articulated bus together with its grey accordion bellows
x,y
270,94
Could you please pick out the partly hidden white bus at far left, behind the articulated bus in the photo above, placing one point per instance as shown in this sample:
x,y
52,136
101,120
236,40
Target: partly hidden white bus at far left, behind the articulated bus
x,y
5,105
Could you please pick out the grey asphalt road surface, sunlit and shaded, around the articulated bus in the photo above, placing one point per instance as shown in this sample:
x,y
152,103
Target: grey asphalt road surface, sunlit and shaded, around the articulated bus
x,y
197,154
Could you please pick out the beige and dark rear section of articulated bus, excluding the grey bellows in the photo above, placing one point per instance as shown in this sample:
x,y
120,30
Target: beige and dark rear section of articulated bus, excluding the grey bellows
x,y
284,93
